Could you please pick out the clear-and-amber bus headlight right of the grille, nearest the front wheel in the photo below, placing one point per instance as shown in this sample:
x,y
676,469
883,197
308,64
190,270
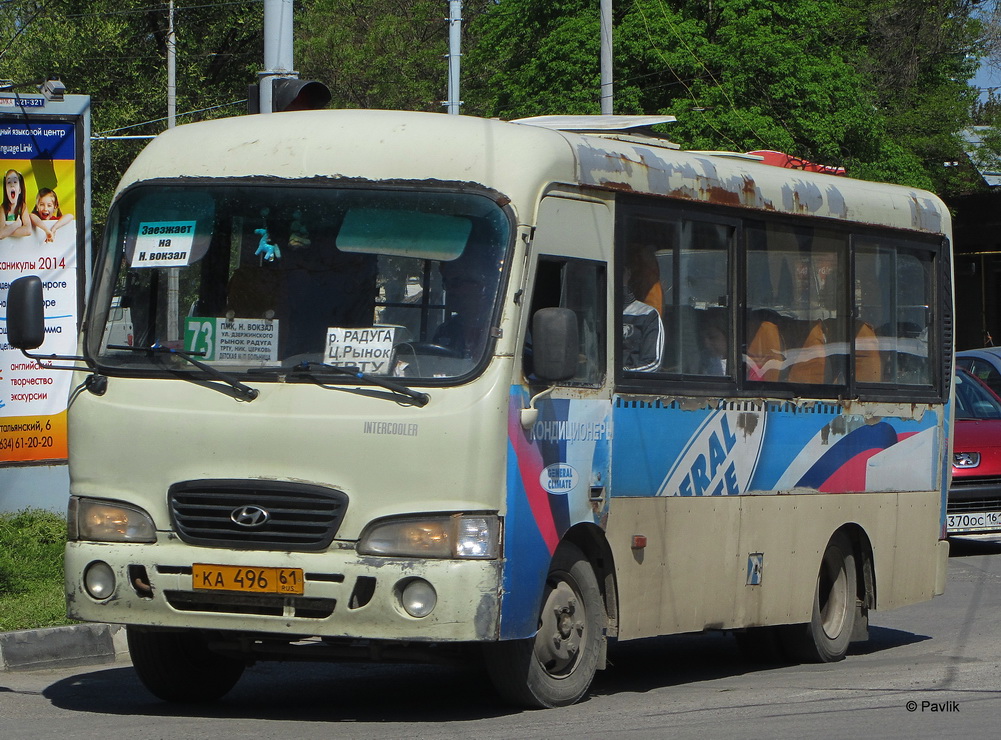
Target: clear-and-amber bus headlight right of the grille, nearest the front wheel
x,y
460,536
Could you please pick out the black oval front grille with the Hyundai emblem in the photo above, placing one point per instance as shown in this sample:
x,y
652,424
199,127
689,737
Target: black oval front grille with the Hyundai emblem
x,y
275,516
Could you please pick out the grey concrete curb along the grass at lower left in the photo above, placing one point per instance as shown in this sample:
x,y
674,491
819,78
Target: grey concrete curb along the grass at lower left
x,y
62,647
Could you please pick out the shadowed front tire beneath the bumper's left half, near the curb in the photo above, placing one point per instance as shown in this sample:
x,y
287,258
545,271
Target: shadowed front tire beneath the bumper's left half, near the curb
x,y
179,667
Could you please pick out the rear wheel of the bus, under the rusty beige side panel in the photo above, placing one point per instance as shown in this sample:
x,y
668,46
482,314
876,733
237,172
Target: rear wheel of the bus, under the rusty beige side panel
x,y
826,637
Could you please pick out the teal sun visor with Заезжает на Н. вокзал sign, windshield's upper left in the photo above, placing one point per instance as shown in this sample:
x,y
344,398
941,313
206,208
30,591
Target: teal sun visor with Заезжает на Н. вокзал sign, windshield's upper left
x,y
171,229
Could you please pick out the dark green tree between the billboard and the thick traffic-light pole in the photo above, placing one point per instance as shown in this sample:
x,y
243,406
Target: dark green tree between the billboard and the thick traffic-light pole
x,y
117,54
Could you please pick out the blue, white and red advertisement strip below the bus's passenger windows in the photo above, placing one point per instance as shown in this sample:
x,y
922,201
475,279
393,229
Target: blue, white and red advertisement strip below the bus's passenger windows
x,y
737,448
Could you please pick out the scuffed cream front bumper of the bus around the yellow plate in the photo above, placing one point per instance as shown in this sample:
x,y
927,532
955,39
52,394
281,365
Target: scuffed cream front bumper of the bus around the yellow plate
x,y
345,595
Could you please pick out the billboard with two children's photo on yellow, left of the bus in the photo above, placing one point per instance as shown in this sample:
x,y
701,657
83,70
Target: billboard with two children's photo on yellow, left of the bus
x,y
41,235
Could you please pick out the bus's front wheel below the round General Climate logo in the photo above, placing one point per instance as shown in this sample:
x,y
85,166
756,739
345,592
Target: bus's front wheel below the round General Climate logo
x,y
557,666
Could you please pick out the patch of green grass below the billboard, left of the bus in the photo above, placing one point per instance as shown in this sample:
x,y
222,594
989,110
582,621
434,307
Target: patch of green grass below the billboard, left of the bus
x,y
32,570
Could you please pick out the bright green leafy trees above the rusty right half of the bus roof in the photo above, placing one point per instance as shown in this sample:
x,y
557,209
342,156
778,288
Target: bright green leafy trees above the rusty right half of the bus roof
x,y
880,87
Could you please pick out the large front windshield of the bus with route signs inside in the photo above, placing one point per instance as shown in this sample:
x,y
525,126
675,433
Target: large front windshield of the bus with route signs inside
x,y
246,277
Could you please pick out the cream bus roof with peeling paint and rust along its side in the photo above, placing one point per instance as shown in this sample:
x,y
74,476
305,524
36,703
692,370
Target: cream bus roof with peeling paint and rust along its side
x,y
518,161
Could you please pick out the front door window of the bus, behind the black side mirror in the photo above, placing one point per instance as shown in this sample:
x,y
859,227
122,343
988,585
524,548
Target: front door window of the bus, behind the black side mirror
x,y
580,286
